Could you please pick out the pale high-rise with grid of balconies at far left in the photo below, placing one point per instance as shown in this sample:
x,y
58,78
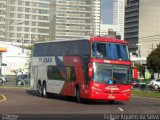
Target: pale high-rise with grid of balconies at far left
x,y
24,20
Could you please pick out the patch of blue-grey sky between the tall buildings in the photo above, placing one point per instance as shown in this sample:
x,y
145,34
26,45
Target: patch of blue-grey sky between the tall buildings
x,y
107,11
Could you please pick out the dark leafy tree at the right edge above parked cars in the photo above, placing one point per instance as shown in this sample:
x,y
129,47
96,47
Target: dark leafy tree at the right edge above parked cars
x,y
153,60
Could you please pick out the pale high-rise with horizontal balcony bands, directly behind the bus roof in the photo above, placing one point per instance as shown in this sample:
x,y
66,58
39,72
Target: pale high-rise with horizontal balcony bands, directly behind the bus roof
x,y
74,18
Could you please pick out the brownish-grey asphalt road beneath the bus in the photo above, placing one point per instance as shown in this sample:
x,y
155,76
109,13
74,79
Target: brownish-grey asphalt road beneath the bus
x,y
25,102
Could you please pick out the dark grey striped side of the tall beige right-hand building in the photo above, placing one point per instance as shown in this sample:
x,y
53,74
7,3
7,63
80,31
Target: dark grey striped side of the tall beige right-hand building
x,y
132,24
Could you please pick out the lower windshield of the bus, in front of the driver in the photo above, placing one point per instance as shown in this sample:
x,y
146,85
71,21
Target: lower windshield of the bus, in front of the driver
x,y
111,74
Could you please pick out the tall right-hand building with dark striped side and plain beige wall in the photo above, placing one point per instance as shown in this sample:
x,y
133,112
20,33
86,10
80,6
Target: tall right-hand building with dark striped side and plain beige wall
x,y
142,26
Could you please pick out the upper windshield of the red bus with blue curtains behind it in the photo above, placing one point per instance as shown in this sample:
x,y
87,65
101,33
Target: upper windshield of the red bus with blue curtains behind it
x,y
113,51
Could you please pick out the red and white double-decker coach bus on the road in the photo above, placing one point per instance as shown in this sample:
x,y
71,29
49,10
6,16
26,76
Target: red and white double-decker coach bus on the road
x,y
98,68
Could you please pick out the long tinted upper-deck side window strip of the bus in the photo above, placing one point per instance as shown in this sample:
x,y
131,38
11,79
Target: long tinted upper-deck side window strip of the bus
x,y
79,47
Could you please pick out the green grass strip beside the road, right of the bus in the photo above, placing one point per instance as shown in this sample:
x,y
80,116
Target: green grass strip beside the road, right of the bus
x,y
142,93
